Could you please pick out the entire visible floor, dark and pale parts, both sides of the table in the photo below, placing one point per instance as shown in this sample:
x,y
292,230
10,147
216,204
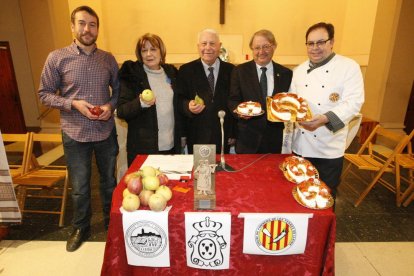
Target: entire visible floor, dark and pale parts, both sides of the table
x,y
376,238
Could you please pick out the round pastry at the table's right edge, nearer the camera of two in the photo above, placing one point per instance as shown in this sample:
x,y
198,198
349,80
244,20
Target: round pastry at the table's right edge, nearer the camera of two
x,y
314,193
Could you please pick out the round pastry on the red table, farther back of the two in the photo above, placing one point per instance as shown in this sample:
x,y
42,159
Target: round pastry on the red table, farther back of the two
x,y
298,169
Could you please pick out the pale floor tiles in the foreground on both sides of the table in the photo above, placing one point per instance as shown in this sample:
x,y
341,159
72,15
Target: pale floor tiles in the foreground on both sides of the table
x,y
50,258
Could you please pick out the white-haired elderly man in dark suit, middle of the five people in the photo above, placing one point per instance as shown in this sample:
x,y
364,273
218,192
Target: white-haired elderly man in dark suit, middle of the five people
x,y
208,78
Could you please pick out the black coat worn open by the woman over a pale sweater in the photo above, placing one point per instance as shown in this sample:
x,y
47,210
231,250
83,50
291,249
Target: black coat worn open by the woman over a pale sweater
x,y
142,122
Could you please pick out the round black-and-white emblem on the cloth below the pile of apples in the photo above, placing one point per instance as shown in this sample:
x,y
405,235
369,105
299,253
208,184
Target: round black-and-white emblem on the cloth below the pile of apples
x,y
146,239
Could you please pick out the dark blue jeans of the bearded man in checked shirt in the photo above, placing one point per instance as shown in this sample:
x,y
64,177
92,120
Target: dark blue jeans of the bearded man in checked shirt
x,y
79,161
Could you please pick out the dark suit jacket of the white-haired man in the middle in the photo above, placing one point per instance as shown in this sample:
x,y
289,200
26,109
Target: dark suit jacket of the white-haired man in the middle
x,y
204,128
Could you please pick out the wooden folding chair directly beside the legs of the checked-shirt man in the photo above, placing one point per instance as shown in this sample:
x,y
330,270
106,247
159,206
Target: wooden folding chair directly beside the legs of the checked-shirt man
x,y
42,180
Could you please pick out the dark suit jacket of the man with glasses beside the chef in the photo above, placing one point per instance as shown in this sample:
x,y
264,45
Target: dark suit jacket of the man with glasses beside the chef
x,y
257,133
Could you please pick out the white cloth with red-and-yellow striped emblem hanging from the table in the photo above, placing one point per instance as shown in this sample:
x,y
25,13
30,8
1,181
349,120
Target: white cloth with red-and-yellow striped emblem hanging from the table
x,y
275,234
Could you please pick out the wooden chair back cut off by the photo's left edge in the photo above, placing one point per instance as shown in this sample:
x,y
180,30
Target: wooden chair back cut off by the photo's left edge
x,y
16,146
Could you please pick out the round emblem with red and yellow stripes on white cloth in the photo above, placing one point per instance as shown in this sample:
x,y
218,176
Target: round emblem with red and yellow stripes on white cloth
x,y
275,235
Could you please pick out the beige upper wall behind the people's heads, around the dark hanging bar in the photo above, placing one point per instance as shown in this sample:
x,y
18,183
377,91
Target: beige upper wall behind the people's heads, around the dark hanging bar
x,y
179,21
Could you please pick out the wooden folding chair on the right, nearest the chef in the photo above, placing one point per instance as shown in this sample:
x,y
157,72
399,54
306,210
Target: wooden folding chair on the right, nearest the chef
x,y
377,162
